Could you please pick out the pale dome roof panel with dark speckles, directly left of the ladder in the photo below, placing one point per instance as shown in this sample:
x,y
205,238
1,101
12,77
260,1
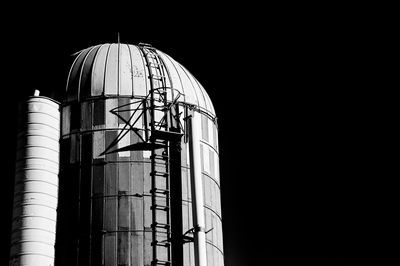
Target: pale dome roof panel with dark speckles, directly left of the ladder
x,y
138,72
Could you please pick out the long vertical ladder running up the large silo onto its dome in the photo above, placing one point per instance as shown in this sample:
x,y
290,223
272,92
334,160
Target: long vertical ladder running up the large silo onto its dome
x,y
160,176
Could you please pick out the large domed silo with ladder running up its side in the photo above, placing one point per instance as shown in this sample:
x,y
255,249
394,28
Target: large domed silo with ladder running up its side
x,y
127,162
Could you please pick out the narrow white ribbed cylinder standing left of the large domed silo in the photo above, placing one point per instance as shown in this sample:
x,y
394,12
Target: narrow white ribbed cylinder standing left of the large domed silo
x,y
36,183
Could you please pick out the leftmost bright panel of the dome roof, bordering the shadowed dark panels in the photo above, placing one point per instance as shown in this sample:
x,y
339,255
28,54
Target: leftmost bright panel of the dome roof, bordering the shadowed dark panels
x,y
98,71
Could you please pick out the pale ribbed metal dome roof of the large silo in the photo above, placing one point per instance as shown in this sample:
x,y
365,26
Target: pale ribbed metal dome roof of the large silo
x,y
120,70
